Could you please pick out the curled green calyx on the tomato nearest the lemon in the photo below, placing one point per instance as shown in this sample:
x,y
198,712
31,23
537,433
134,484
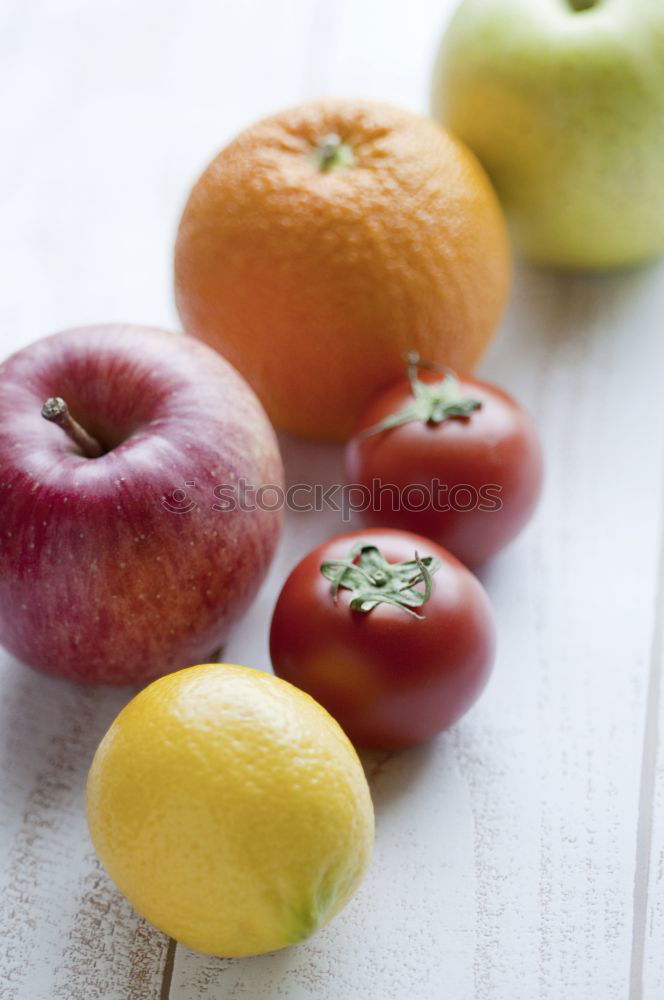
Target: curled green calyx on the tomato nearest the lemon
x,y
372,580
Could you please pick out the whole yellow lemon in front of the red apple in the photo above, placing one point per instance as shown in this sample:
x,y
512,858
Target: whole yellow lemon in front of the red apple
x,y
230,809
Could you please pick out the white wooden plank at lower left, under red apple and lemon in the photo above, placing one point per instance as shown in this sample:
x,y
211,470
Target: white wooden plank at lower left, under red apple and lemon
x,y
66,932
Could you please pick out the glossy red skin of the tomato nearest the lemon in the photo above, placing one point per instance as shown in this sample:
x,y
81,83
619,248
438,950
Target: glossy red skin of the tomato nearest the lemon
x,y
390,680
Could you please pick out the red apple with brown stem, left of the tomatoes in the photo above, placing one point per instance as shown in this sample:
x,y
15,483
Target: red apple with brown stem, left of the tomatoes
x,y
119,568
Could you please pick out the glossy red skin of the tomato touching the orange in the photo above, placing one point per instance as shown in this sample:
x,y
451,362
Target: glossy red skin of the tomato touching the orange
x,y
490,462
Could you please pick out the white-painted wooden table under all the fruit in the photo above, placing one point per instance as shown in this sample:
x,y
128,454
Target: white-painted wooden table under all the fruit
x,y
519,857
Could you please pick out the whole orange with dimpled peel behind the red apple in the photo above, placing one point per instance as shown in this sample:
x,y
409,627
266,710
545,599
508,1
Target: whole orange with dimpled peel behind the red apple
x,y
326,242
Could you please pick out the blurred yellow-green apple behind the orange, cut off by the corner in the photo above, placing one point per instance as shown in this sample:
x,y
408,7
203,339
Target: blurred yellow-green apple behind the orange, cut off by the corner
x,y
563,102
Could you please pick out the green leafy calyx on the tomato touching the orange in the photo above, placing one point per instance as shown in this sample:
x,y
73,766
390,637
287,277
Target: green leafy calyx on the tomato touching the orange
x,y
433,402
